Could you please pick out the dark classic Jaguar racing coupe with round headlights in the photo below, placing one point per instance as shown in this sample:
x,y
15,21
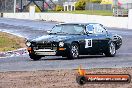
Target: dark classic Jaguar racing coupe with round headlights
x,y
74,39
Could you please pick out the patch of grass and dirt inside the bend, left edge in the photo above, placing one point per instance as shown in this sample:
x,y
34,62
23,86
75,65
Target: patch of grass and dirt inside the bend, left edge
x,y
10,42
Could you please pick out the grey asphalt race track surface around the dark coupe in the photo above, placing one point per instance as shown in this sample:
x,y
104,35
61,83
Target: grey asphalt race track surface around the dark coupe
x,y
33,29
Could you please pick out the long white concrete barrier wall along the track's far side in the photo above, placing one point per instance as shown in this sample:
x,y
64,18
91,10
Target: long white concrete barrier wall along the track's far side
x,y
108,21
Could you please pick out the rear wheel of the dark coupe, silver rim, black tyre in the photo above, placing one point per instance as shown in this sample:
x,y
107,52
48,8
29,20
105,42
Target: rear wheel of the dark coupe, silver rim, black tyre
x,y
111,50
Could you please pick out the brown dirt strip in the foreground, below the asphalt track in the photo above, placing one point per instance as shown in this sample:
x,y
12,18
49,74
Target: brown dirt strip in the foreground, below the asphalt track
x,y
57,79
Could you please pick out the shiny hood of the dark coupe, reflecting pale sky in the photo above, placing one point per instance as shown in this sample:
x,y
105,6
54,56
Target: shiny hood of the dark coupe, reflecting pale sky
x,y
55,38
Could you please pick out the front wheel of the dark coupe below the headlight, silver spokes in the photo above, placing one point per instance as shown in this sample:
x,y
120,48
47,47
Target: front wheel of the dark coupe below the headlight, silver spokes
x,y
74,51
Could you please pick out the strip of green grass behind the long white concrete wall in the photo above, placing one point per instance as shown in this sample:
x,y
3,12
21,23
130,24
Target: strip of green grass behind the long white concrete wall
x,y
88,12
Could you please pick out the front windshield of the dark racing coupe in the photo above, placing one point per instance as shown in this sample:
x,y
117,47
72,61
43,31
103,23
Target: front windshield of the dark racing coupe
x,y
67,29
